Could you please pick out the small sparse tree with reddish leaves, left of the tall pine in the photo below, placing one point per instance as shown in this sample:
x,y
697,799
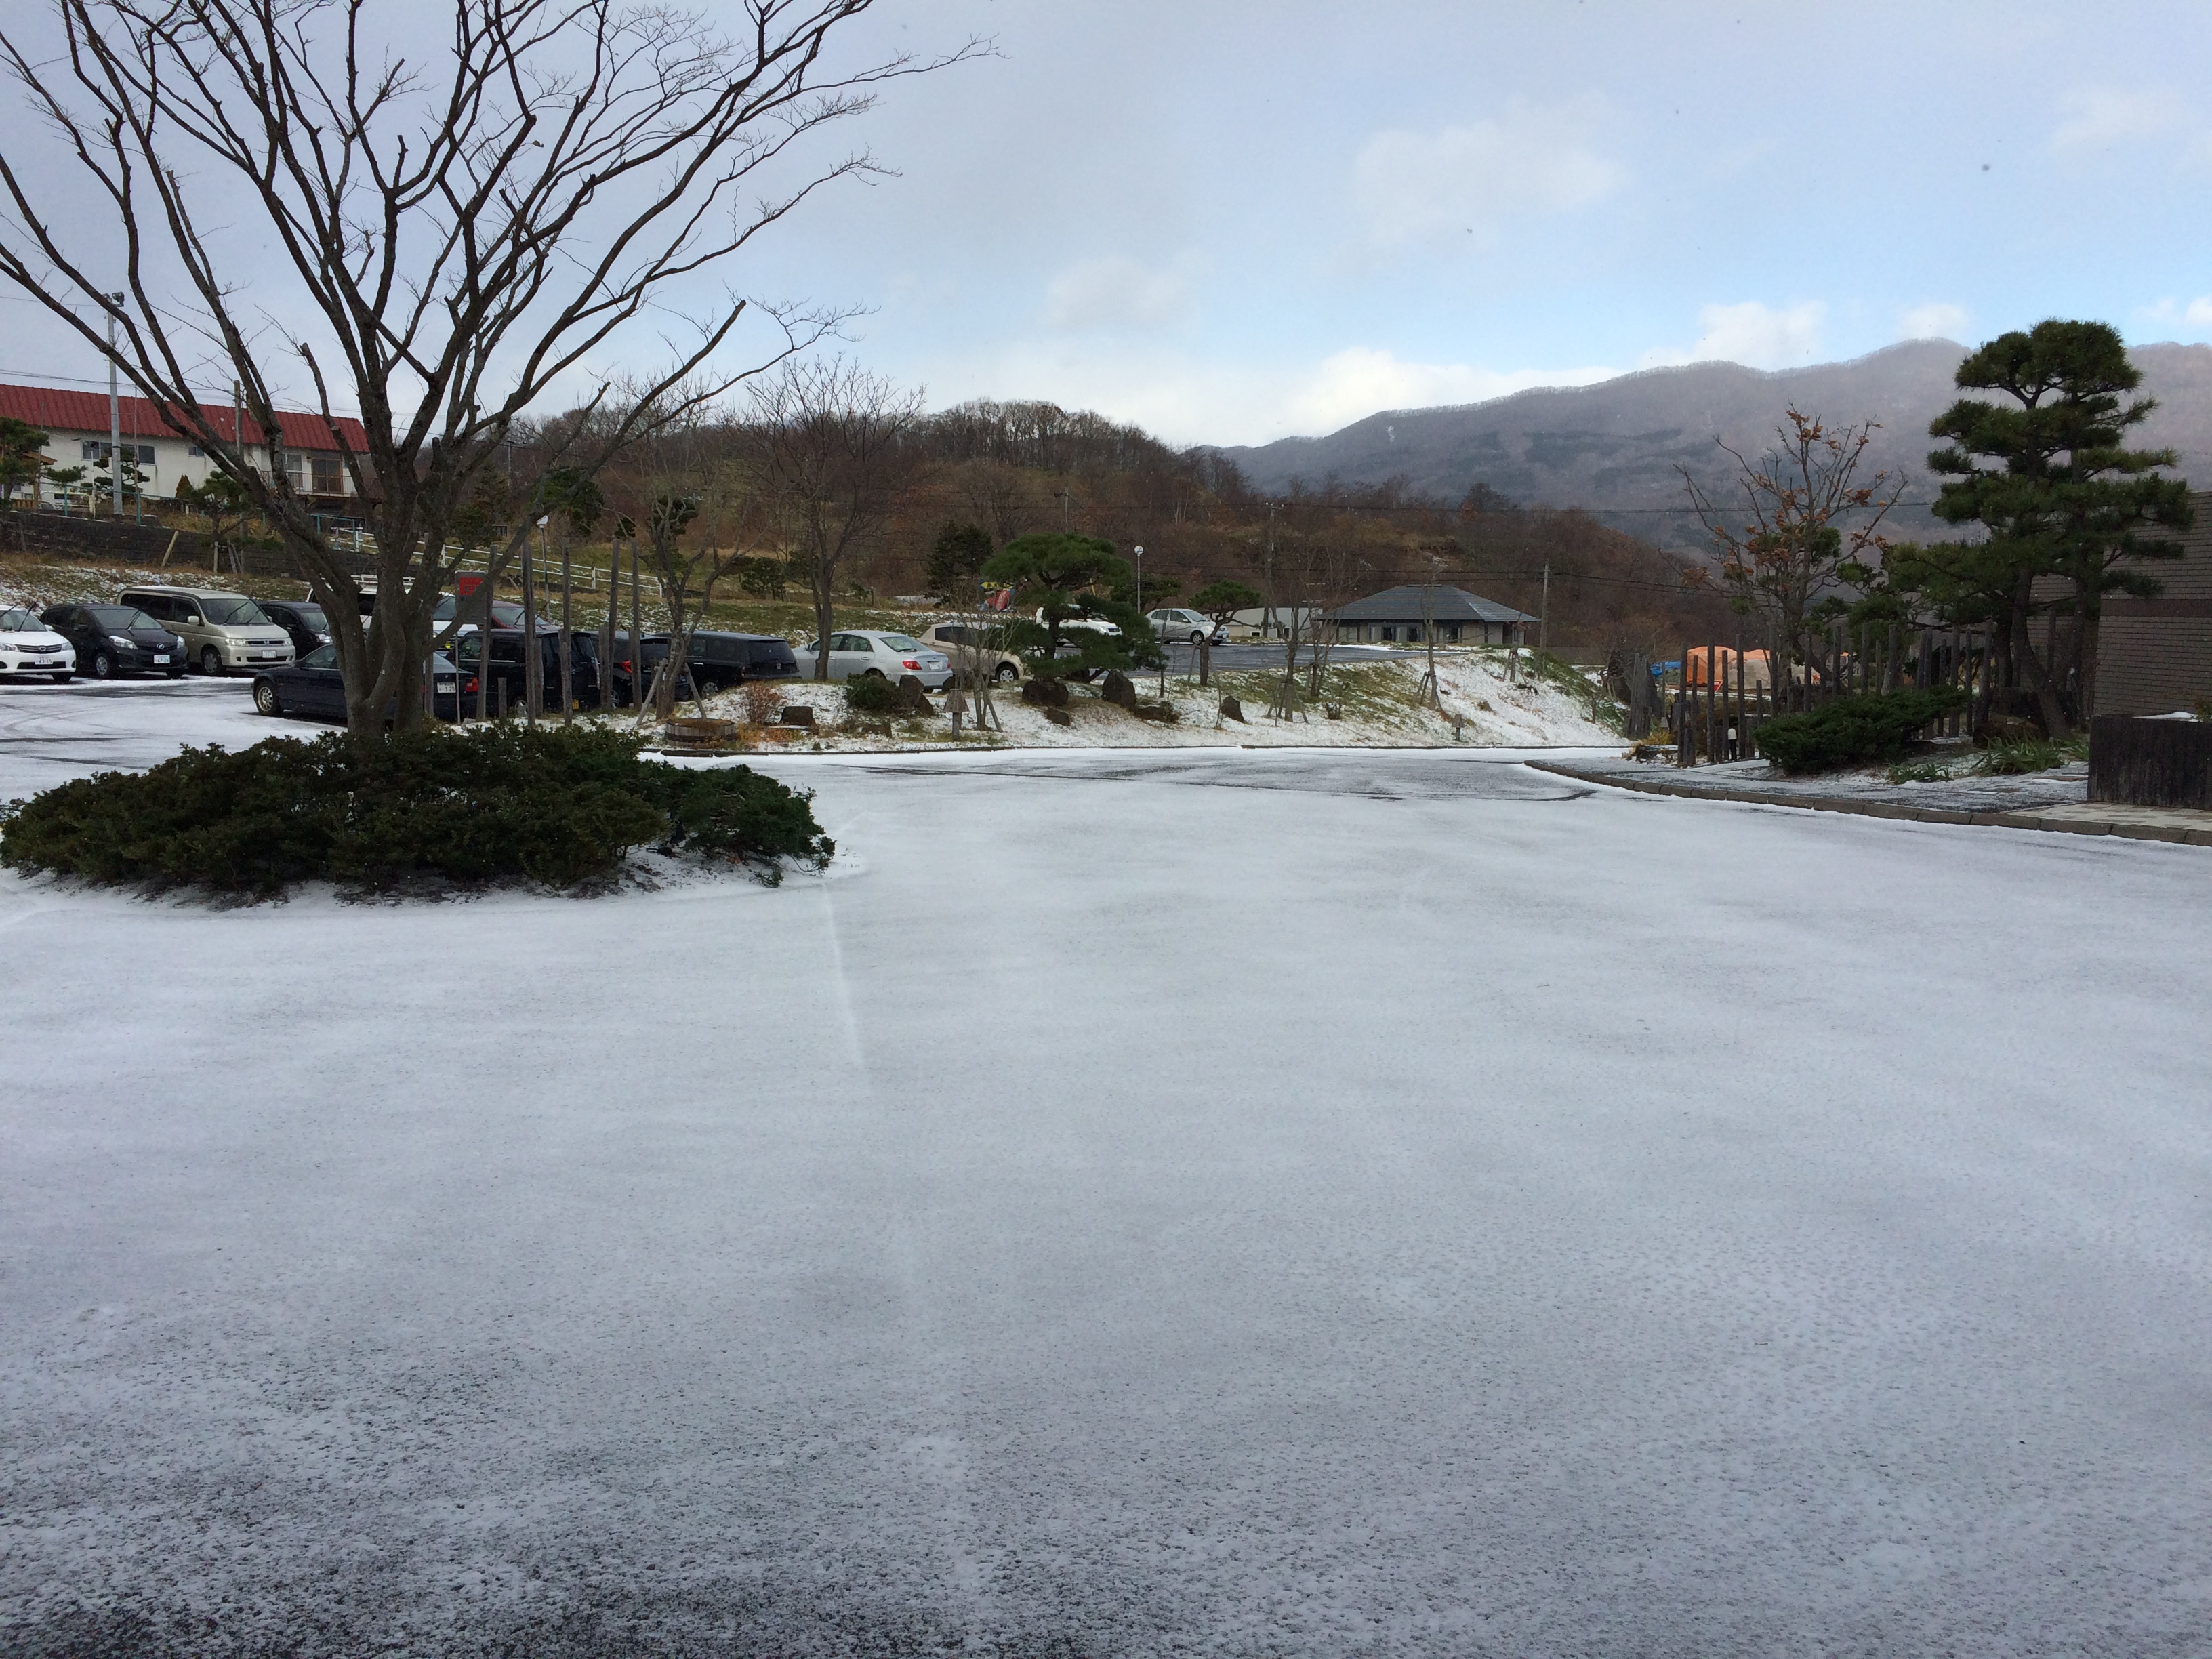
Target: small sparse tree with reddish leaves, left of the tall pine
x,y
1806,523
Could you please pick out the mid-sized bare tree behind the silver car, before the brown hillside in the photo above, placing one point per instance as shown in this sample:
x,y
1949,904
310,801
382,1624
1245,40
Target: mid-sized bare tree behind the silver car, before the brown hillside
x,y
835,455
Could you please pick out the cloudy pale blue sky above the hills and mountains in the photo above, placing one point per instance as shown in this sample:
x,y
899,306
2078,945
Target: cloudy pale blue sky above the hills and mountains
x,y
1233,222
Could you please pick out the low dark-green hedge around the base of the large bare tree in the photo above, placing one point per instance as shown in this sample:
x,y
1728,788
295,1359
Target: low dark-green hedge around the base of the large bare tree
x,y
479,806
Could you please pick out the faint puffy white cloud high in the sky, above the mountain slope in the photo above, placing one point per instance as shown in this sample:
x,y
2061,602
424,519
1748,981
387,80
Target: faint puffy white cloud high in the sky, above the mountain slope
x,y
1441,187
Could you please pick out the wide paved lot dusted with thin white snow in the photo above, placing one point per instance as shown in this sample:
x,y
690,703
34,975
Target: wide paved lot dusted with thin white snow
x,y
1191,1202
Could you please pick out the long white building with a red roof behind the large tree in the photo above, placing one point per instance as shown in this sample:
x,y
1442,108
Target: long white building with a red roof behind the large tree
x,y
79,430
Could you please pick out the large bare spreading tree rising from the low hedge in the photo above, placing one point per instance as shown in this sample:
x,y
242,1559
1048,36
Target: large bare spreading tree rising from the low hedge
x,y
470,227
